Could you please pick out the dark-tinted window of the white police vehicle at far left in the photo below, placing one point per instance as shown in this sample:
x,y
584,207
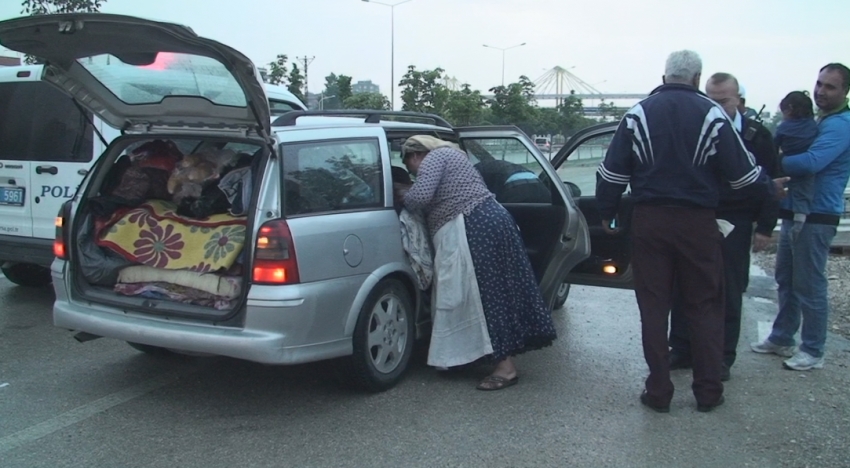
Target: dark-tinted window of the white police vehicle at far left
x,y
39,123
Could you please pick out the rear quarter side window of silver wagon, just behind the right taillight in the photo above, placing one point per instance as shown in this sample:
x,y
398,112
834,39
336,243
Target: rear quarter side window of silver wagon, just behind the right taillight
x,y
340,175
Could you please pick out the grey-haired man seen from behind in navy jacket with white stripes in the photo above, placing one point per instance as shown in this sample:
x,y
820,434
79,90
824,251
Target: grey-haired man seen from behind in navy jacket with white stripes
x,y
676,149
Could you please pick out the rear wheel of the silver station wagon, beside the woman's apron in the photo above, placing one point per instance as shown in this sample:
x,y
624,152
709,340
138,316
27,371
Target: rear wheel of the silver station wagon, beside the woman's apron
x,y
383,339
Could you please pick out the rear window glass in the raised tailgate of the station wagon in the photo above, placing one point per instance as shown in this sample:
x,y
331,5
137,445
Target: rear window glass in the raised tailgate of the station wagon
x,y
170,74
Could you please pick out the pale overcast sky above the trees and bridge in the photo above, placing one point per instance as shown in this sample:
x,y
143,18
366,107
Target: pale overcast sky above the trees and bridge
x,y
772,46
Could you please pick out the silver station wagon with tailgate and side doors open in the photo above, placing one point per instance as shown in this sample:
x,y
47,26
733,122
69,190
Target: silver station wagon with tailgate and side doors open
x,y
211,227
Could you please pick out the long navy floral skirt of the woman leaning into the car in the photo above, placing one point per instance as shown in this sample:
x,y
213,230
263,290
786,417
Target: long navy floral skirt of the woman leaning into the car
x,y
517,317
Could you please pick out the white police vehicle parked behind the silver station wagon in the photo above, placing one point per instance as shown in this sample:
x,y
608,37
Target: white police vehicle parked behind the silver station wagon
x,y
48,145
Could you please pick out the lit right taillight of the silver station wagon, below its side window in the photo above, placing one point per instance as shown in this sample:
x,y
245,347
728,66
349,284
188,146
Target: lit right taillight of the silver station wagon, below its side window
x,y
274,255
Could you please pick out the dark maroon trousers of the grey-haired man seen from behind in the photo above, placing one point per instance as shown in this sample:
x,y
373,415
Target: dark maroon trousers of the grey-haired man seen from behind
x,y
681,245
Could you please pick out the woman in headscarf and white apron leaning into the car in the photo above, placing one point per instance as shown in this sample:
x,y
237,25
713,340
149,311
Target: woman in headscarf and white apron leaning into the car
x,y
487,302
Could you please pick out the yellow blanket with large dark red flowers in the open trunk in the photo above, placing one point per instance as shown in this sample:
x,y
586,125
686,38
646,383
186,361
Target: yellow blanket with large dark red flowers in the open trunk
x,y
154,234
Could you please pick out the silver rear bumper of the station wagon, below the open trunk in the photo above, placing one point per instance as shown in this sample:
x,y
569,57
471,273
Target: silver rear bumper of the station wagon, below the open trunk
x,y
291,326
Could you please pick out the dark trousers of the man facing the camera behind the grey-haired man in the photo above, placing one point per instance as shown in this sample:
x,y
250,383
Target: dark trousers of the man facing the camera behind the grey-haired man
x,y
736,273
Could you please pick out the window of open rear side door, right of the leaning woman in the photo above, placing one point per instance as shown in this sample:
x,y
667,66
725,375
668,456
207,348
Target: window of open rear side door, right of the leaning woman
x,y
510,170
